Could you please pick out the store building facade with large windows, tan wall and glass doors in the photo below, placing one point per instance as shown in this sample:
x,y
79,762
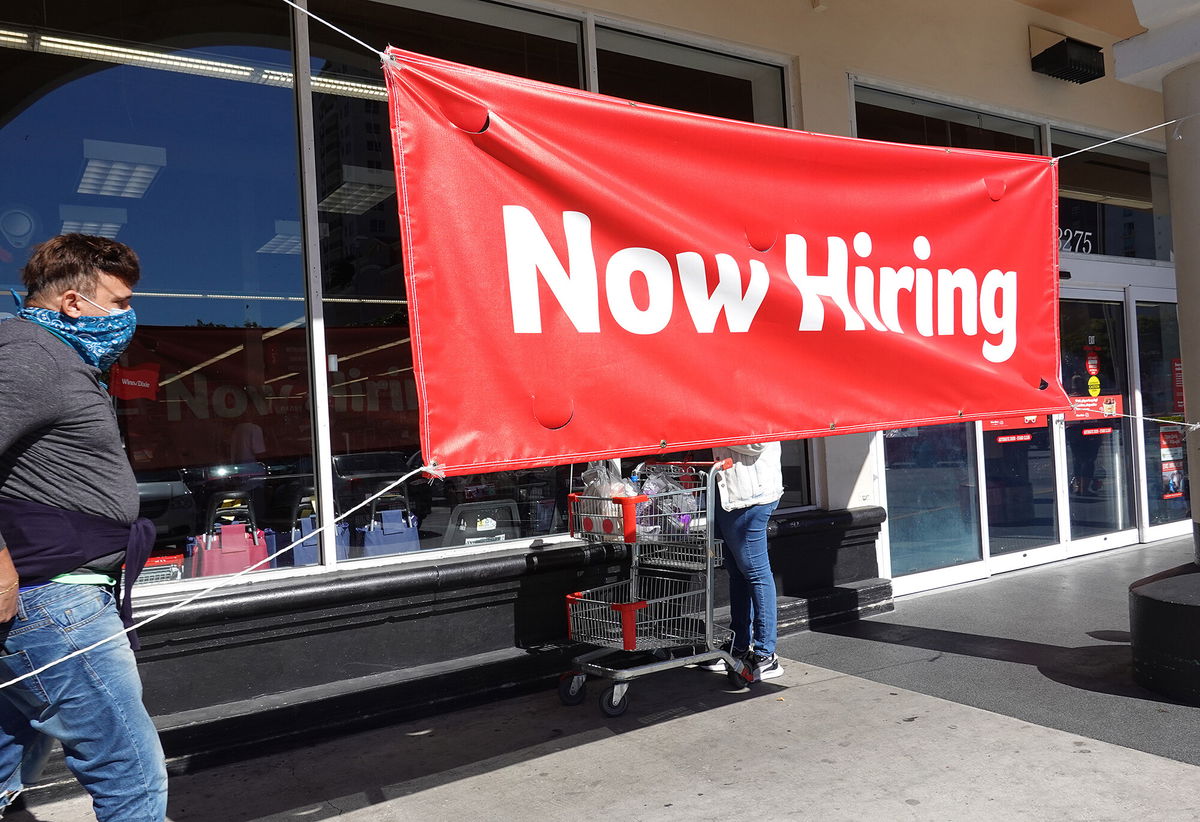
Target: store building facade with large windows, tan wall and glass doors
x,y
243,149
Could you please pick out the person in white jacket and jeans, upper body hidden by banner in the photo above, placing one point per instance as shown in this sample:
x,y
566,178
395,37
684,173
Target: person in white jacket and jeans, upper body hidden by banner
x,y
749,491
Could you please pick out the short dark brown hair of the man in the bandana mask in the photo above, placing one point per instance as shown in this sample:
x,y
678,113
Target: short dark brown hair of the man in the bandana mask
x,y
73,262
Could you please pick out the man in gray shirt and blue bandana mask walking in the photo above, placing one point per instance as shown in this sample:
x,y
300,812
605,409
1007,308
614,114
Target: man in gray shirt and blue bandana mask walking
x,y
69,506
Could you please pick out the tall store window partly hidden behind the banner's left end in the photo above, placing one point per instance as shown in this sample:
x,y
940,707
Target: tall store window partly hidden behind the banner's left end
x,y
374,413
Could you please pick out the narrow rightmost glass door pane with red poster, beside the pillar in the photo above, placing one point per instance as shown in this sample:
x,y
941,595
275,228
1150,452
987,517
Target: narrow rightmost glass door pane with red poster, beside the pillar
x,y
1162,399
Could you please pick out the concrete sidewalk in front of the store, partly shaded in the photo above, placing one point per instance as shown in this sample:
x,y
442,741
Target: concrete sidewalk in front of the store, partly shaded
x,y
817,743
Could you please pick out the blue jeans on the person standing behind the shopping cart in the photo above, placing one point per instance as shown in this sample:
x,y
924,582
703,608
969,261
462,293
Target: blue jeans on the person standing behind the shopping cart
x,y
753,614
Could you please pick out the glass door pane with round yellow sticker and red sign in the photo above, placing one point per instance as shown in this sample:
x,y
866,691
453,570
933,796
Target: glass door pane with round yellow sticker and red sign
x,y
1096,377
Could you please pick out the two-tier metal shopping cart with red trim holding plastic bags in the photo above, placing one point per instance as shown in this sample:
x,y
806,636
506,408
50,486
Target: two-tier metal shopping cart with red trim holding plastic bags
x,y
662,616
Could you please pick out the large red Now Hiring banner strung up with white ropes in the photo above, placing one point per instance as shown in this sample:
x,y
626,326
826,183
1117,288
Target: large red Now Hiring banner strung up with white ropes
x,y
592,278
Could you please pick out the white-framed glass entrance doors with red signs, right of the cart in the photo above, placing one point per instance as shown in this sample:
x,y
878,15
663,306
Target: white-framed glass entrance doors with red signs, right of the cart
x,y
974,500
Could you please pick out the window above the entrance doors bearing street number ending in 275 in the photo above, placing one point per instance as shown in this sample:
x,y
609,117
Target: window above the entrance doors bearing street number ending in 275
x,y
1113,201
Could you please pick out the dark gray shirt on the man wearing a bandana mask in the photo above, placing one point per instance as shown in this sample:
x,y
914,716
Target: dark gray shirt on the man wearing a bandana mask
x,y
59,442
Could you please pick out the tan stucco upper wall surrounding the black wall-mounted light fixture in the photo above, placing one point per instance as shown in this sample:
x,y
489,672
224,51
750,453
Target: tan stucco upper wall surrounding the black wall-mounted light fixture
x,y
975,52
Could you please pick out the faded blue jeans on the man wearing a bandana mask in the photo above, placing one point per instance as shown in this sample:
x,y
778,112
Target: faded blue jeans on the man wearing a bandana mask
x,y
92,704
